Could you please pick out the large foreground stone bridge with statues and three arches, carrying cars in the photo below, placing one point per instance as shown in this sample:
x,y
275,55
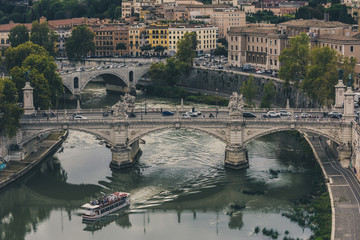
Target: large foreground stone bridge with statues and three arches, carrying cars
x,y
124,134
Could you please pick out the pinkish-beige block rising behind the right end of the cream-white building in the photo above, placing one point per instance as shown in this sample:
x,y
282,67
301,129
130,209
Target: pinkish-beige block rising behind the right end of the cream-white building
x,y
227,19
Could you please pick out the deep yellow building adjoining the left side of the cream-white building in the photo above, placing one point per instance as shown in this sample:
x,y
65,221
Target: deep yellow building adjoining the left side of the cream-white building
x,y
157,34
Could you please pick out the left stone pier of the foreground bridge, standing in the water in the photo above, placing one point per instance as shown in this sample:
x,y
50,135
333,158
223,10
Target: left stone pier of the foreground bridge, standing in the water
x,y
125,156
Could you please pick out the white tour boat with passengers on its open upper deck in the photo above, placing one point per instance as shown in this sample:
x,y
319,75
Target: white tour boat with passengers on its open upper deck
x,y
105,205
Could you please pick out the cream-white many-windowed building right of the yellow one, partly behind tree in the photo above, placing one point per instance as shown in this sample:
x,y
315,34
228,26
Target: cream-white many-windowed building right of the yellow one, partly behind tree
x,y
206,36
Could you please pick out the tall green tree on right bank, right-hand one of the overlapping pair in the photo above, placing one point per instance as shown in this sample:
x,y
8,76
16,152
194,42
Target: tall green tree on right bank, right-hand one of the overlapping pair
x,y
322,75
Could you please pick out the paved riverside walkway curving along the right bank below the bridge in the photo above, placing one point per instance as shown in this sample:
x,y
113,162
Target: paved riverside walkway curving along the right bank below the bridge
x,y
344,190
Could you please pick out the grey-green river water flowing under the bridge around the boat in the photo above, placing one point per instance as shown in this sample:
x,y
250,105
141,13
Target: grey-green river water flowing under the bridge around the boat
x,y
179,190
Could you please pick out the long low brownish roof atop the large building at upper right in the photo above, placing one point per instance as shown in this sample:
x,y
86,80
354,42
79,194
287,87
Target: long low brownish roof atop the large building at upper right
x,y
313,23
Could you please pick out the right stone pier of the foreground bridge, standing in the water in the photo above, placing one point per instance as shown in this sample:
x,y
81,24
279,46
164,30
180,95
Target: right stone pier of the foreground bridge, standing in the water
x,y
236,157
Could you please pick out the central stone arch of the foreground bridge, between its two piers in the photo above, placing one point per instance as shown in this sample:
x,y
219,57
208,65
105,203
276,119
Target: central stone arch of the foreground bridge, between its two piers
x,y
135,136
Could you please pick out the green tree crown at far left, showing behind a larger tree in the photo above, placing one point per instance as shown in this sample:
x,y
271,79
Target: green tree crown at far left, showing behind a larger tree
x,y
14,56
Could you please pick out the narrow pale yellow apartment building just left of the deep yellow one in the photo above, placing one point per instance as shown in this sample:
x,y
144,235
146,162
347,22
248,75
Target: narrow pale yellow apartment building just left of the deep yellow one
x,y
137,38
